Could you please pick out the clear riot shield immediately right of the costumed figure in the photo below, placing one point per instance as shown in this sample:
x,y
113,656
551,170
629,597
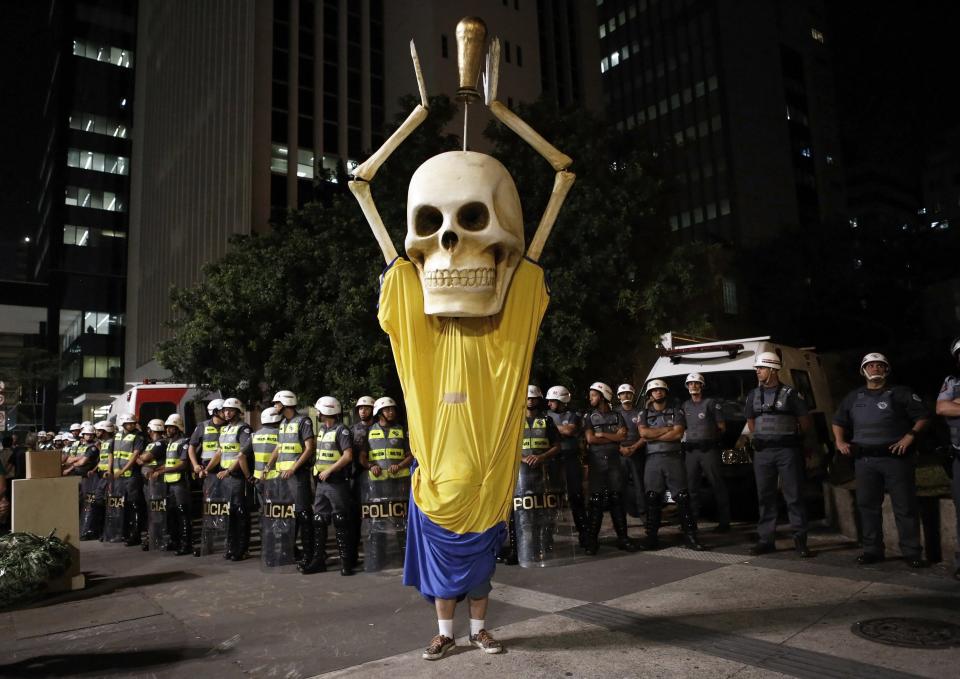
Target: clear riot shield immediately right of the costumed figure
x,y
546,534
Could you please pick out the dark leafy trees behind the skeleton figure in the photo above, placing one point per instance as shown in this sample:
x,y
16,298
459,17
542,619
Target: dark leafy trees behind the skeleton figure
x,y
296,308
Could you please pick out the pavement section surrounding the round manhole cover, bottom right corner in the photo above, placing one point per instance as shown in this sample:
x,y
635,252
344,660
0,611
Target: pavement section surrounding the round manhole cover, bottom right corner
x,y
832,634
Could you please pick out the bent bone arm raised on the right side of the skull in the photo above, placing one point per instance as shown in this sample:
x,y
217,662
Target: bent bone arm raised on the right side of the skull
x,y
559,161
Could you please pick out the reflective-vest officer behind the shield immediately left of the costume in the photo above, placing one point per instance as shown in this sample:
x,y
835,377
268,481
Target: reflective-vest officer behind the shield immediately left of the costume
x,y
386,460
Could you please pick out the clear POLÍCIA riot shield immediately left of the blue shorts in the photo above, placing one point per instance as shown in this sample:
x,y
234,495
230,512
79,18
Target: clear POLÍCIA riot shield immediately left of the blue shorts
x,y
383,510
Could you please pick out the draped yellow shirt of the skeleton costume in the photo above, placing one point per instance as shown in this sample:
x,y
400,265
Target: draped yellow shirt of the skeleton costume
x,y
464,381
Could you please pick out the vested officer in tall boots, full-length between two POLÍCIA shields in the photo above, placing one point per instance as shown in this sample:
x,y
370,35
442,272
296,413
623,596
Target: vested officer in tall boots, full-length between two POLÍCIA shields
x,y
332,502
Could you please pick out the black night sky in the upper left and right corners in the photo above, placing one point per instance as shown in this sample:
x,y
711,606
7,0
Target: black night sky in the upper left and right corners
x,y
895,63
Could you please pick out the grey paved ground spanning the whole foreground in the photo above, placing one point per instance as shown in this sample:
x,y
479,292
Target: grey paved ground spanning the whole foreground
x,y
672,613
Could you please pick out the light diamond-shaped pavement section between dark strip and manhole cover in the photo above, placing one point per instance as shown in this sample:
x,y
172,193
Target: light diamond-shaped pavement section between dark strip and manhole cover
x,y
744,600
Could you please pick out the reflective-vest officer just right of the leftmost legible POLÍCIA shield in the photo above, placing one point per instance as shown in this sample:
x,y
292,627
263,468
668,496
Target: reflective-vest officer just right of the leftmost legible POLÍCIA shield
x,y
234,452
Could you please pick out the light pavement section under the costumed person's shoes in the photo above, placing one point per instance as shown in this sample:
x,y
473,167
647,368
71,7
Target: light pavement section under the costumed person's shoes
x,y
553,646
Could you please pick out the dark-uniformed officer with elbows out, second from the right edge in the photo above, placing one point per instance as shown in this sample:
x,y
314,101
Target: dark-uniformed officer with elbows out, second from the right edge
x,y
877,424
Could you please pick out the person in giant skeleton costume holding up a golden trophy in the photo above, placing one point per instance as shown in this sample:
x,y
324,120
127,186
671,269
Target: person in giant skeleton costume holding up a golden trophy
x,y
462,312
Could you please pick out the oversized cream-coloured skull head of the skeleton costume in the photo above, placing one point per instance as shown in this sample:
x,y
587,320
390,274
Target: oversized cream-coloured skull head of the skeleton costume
x,y
464,233
